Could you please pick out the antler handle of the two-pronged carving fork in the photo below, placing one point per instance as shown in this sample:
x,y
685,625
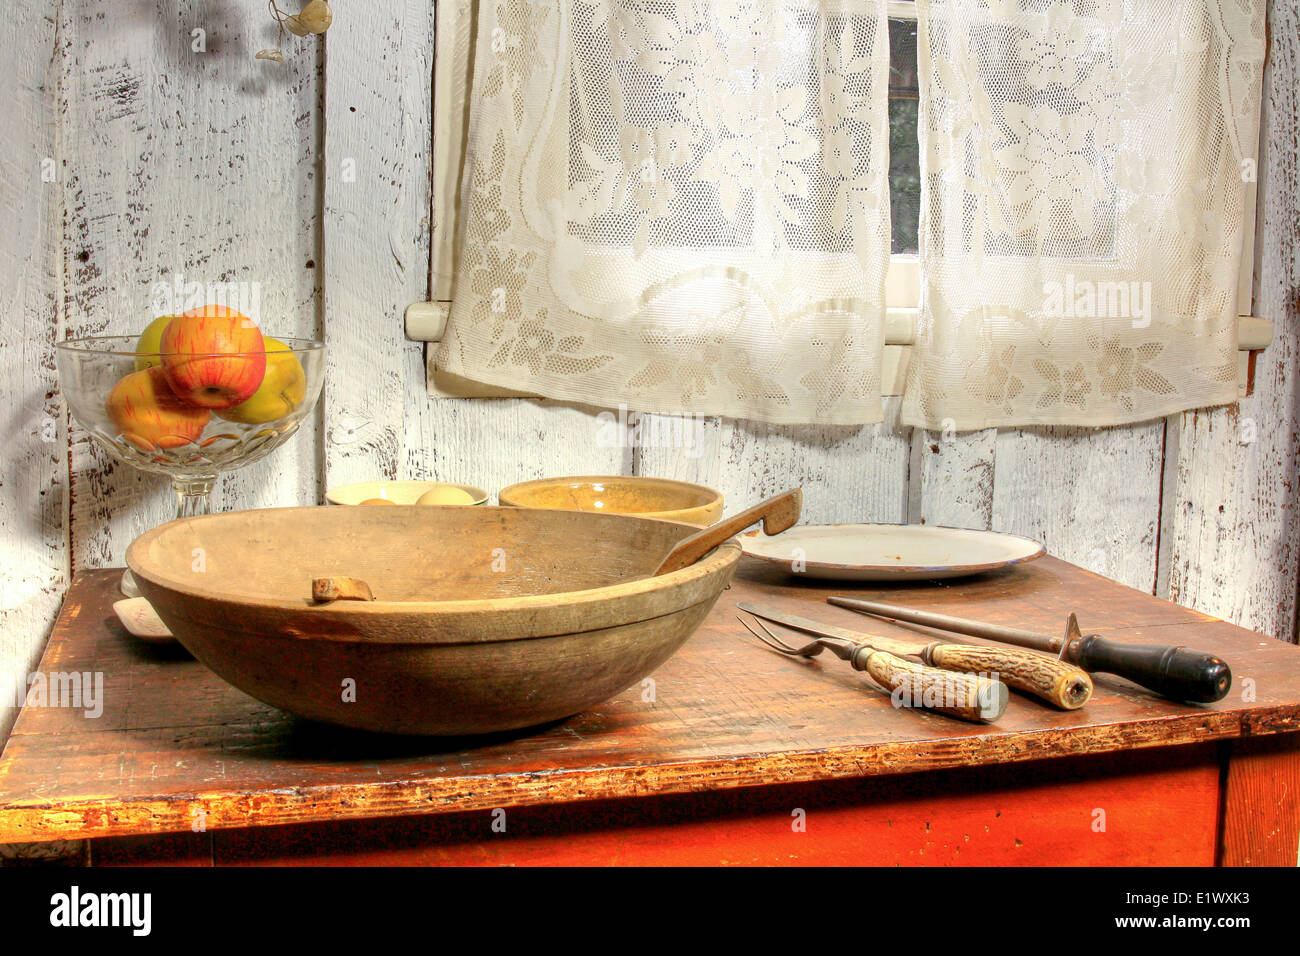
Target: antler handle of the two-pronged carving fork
x,y
913,685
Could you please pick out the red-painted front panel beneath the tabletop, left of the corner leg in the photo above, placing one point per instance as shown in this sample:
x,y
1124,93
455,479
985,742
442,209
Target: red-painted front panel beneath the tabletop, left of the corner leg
x,y
1162,807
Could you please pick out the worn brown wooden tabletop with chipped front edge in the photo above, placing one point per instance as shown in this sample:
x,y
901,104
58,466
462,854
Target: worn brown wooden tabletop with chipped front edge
x,y
175,742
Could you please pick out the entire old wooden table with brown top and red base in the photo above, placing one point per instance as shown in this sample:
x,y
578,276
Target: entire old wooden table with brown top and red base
x,y
734,755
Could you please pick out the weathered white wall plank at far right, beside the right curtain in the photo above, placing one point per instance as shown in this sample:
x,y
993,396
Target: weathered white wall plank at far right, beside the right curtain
x,y
1237,503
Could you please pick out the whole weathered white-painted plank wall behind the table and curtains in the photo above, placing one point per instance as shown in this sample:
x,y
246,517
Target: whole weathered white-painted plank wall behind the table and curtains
x,y
216,167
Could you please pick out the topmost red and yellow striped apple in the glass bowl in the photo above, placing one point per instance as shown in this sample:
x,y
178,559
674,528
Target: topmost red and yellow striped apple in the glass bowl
x,y
214,357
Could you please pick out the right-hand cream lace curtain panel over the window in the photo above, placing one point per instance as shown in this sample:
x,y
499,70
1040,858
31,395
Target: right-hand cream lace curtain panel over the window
x,y
1082,205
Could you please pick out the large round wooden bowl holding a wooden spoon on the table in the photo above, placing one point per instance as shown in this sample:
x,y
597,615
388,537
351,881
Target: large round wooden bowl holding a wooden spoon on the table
x,y
487,618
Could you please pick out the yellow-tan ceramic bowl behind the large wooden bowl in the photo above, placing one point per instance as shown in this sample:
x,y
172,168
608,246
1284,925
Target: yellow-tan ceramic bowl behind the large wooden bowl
x,y
623,495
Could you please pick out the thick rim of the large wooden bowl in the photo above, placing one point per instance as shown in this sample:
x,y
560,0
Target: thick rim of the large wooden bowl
x,y
718,560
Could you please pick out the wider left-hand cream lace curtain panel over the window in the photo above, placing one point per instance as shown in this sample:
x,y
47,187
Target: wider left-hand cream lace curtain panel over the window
x,y
678,205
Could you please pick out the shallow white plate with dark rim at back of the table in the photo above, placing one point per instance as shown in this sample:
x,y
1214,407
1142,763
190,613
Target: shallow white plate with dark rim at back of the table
x,y
889,552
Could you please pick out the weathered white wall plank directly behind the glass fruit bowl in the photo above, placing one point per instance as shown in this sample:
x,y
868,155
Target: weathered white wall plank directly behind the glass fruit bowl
x,y
190,161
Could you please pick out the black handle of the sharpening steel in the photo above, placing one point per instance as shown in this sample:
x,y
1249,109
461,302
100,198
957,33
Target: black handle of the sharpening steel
x,y
1176,673
